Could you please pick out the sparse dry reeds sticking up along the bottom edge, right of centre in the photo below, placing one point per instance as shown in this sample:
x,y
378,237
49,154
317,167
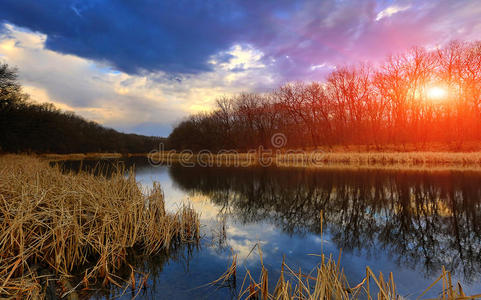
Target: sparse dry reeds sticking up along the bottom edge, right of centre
x,y
327,281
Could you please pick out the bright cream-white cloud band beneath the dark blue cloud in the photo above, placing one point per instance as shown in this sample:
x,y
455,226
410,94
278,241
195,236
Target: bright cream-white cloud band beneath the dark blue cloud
x,y
148,104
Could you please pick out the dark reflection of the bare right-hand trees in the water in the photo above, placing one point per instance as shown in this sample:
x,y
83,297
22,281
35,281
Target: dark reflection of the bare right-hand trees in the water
x,y
419,218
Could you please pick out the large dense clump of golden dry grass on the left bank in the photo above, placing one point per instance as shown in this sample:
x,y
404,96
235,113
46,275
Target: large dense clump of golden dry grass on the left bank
x,y
53,224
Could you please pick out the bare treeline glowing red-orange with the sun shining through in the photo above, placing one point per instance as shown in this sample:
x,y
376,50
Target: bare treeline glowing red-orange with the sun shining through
x,y
419,97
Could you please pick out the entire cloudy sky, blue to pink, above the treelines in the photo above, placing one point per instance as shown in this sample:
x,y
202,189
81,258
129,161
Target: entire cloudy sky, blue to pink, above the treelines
x,y
142,66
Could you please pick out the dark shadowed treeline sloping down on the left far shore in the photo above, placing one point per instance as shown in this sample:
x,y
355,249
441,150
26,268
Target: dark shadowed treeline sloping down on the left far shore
x,y
41,128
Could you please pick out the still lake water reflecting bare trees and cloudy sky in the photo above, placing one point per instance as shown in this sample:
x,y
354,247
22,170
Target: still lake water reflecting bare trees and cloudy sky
x,y
408,223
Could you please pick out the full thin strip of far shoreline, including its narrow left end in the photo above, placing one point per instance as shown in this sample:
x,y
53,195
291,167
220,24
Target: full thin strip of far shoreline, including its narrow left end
x,y
393,160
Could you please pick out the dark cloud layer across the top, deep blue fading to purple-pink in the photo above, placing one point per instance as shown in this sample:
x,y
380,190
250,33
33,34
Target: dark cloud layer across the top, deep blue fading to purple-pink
x,y
179,37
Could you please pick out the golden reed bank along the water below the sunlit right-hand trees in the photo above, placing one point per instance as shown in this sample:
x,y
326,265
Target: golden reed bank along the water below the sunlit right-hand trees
x,y
320,159
